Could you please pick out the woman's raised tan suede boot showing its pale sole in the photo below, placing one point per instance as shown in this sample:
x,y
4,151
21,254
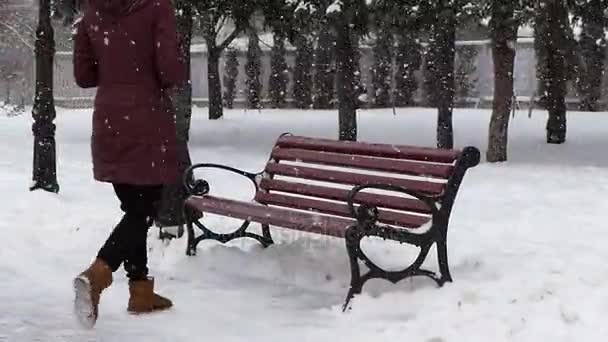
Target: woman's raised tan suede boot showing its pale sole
x,y
88,286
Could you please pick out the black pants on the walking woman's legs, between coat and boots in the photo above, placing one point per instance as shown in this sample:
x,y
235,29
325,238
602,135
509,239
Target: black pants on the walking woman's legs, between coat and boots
x,y
127,243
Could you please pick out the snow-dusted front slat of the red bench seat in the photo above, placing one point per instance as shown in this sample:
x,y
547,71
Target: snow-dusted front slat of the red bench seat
x,y
310,222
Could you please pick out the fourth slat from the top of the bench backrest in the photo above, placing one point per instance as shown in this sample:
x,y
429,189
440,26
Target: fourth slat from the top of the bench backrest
x,y
380,200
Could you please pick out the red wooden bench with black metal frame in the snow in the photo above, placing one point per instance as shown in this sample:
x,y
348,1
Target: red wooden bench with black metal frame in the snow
x,y
323,186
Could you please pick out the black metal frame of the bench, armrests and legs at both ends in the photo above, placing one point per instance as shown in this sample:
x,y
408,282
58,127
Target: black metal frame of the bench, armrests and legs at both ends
x,y
366,225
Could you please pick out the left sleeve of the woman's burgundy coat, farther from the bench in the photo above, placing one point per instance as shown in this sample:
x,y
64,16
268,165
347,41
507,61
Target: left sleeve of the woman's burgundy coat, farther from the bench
x,y
85,62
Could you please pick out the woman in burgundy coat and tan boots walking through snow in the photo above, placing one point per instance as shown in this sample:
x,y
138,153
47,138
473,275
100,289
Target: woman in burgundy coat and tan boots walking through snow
x,y
128,49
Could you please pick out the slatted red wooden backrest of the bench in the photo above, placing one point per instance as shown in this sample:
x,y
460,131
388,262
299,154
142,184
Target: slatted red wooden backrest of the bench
x,y
317,175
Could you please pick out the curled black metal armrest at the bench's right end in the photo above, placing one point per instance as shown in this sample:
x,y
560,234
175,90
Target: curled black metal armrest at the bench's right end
x,y
369,213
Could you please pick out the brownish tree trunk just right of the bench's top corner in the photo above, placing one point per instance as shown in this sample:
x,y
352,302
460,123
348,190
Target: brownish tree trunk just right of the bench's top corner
x,y
504,33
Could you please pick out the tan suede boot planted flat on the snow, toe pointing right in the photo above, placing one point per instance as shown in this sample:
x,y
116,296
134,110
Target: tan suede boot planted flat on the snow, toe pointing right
x,y
143,299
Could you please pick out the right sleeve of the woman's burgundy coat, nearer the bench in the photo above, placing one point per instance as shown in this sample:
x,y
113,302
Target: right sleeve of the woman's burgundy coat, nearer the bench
x,y
169,63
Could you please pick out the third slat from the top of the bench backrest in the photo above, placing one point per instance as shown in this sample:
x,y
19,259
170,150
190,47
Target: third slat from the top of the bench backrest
x,y
350,178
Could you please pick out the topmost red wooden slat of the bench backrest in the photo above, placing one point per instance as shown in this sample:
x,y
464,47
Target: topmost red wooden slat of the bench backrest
x,y
366,149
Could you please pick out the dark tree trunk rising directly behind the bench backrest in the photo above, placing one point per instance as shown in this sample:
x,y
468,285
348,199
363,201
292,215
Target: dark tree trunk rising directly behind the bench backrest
x,y
346,78
